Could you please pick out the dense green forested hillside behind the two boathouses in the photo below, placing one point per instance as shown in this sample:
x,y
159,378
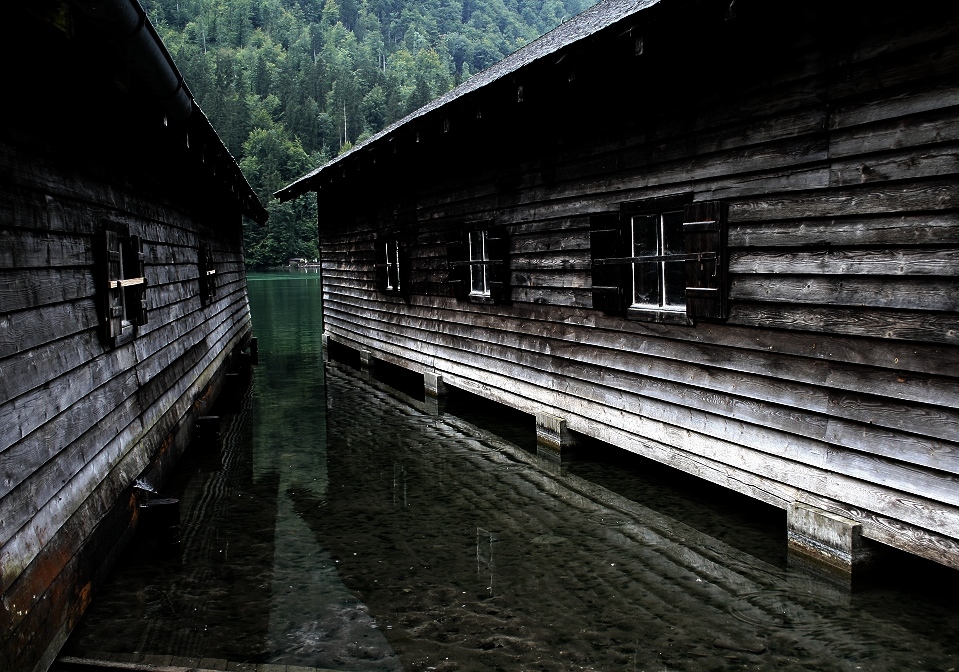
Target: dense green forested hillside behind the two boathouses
x,y
290,84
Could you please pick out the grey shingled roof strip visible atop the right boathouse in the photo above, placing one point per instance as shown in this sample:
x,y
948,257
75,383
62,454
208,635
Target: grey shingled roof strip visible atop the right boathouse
x,y
590,22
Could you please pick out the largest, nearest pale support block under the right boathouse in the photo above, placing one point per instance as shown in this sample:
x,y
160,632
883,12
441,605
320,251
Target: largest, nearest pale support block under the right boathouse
x,y
827,541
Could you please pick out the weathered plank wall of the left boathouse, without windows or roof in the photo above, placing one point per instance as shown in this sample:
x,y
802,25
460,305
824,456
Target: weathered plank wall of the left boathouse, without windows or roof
x,y
81,420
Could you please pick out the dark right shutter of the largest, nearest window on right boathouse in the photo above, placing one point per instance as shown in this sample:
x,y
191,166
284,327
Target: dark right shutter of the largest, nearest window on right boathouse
x,y
704,230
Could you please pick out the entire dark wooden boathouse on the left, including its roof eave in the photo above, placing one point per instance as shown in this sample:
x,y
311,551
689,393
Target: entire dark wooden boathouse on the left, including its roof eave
x,y
122,297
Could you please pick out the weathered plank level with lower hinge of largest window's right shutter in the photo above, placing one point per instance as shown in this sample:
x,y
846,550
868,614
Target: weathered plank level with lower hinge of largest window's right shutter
x,y
920,294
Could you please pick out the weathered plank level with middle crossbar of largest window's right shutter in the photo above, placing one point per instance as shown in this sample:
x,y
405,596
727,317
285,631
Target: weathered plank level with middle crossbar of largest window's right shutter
x,y
888,262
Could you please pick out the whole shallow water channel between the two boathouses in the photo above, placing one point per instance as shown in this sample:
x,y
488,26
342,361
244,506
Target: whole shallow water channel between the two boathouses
x,y
348,524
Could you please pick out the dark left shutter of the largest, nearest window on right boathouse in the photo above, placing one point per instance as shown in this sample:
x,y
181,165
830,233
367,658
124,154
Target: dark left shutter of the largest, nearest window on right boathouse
x,y
610,281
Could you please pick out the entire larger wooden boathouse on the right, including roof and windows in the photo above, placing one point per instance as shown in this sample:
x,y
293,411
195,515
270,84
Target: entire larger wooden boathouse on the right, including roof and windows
x,y
721,234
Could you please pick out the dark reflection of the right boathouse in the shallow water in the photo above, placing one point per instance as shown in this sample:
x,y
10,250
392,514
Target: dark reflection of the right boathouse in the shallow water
x,y
491,556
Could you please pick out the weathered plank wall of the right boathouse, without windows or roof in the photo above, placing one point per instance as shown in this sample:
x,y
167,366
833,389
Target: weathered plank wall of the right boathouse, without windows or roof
x,y
833,381
